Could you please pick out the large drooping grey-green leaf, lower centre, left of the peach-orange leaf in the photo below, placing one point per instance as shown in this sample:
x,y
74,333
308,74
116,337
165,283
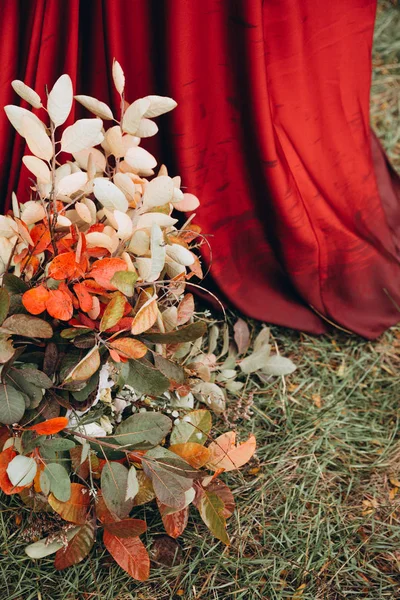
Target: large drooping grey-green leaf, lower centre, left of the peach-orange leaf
x,y
169,485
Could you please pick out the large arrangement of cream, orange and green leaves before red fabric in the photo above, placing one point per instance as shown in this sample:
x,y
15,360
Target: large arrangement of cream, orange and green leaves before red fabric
x,y
95,329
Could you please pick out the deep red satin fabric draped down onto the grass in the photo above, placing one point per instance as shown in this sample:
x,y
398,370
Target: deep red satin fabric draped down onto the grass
x,y
271,132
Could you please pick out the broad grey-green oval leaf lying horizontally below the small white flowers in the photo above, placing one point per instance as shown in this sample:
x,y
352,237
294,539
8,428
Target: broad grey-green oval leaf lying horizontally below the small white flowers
x,y
143,430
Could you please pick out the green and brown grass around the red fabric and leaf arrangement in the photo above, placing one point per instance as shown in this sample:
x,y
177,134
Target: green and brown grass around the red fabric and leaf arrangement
x,y
319,514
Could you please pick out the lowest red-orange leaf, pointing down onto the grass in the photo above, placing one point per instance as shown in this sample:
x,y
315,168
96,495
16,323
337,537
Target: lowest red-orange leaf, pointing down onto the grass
x,y
130,554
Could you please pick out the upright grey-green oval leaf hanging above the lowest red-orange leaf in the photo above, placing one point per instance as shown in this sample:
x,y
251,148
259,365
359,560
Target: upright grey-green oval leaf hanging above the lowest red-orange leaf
x,y
114,483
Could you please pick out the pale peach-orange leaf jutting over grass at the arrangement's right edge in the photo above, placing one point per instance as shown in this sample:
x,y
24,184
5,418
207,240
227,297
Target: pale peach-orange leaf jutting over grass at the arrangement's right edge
x,y
224,454
